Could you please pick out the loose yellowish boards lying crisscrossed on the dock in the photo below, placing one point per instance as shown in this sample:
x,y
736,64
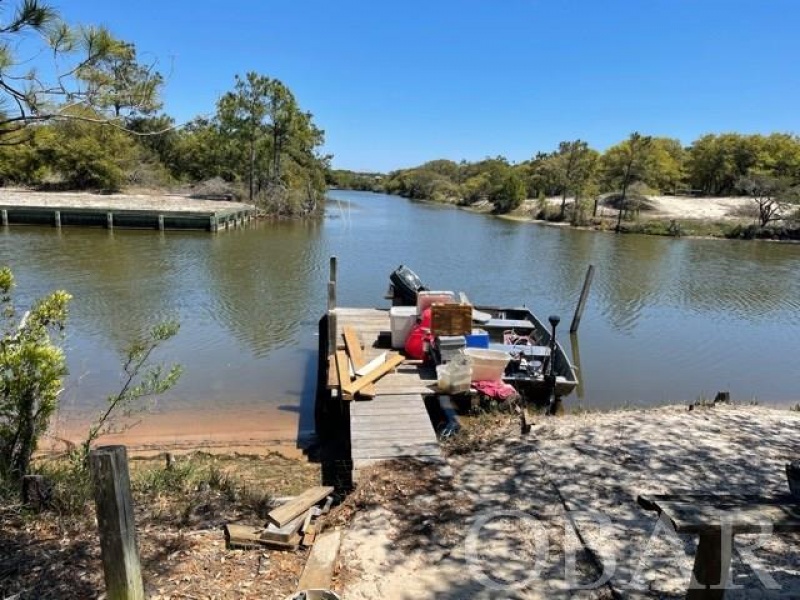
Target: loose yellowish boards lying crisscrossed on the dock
x,y
349,370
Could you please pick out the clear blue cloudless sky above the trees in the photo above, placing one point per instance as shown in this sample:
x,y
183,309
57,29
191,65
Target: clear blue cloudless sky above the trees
x,y
394,84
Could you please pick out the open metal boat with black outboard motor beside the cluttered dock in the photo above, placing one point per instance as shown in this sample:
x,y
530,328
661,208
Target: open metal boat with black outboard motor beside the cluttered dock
x,y
539,368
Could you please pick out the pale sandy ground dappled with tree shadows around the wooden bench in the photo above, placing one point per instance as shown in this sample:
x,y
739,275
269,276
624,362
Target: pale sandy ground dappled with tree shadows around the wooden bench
x,y
513,511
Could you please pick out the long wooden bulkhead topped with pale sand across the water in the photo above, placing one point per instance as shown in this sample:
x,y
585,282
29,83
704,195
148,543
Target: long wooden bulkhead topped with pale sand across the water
x,y
21,207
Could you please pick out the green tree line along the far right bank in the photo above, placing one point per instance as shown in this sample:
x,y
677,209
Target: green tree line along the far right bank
x,y
763,167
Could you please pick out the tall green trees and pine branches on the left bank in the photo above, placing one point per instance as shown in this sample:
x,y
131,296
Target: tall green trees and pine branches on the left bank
x,y
97,122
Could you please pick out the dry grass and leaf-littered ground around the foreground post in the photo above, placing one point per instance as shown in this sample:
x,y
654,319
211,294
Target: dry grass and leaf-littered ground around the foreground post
x,y
179,515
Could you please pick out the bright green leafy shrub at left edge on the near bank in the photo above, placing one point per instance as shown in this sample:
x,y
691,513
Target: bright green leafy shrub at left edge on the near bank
x,y
32,368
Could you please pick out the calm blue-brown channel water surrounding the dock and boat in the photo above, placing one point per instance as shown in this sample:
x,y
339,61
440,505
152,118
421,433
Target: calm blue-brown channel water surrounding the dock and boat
x,y
667,320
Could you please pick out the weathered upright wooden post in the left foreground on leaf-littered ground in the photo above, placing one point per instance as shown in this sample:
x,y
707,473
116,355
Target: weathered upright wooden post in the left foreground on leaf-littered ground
x,y
112,496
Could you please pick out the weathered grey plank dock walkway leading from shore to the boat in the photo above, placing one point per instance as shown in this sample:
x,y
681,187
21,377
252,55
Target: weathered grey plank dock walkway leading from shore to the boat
x,y
395,423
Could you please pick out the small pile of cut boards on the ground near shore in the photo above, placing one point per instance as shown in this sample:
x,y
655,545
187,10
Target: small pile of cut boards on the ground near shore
x,y
292,524
